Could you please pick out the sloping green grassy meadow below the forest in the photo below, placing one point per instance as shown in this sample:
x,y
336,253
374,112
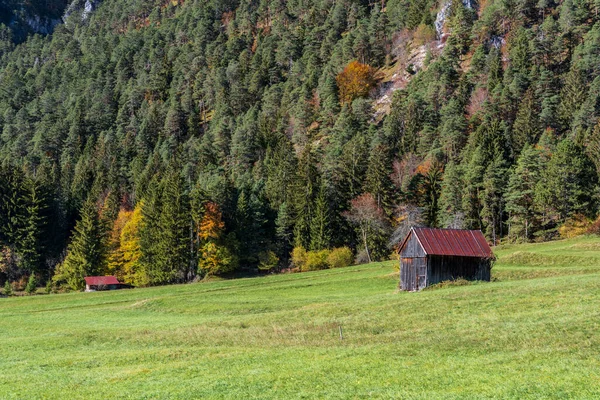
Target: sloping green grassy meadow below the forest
x,y
531,333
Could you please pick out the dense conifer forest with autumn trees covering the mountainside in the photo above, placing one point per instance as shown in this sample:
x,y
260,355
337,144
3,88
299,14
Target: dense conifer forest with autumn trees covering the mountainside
x,y
165,141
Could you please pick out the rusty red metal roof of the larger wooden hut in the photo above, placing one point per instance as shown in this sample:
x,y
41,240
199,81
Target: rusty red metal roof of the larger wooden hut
x,y
452,242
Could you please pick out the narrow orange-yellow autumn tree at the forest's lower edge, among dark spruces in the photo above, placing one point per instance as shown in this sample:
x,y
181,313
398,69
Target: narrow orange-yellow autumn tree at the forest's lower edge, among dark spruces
x,y
215,258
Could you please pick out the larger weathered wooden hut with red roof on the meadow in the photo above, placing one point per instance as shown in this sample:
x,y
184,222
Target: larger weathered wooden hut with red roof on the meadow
x,y
429,256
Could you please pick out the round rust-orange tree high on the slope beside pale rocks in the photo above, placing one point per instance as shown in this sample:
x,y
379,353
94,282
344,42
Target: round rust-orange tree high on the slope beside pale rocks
x,y
355,81
